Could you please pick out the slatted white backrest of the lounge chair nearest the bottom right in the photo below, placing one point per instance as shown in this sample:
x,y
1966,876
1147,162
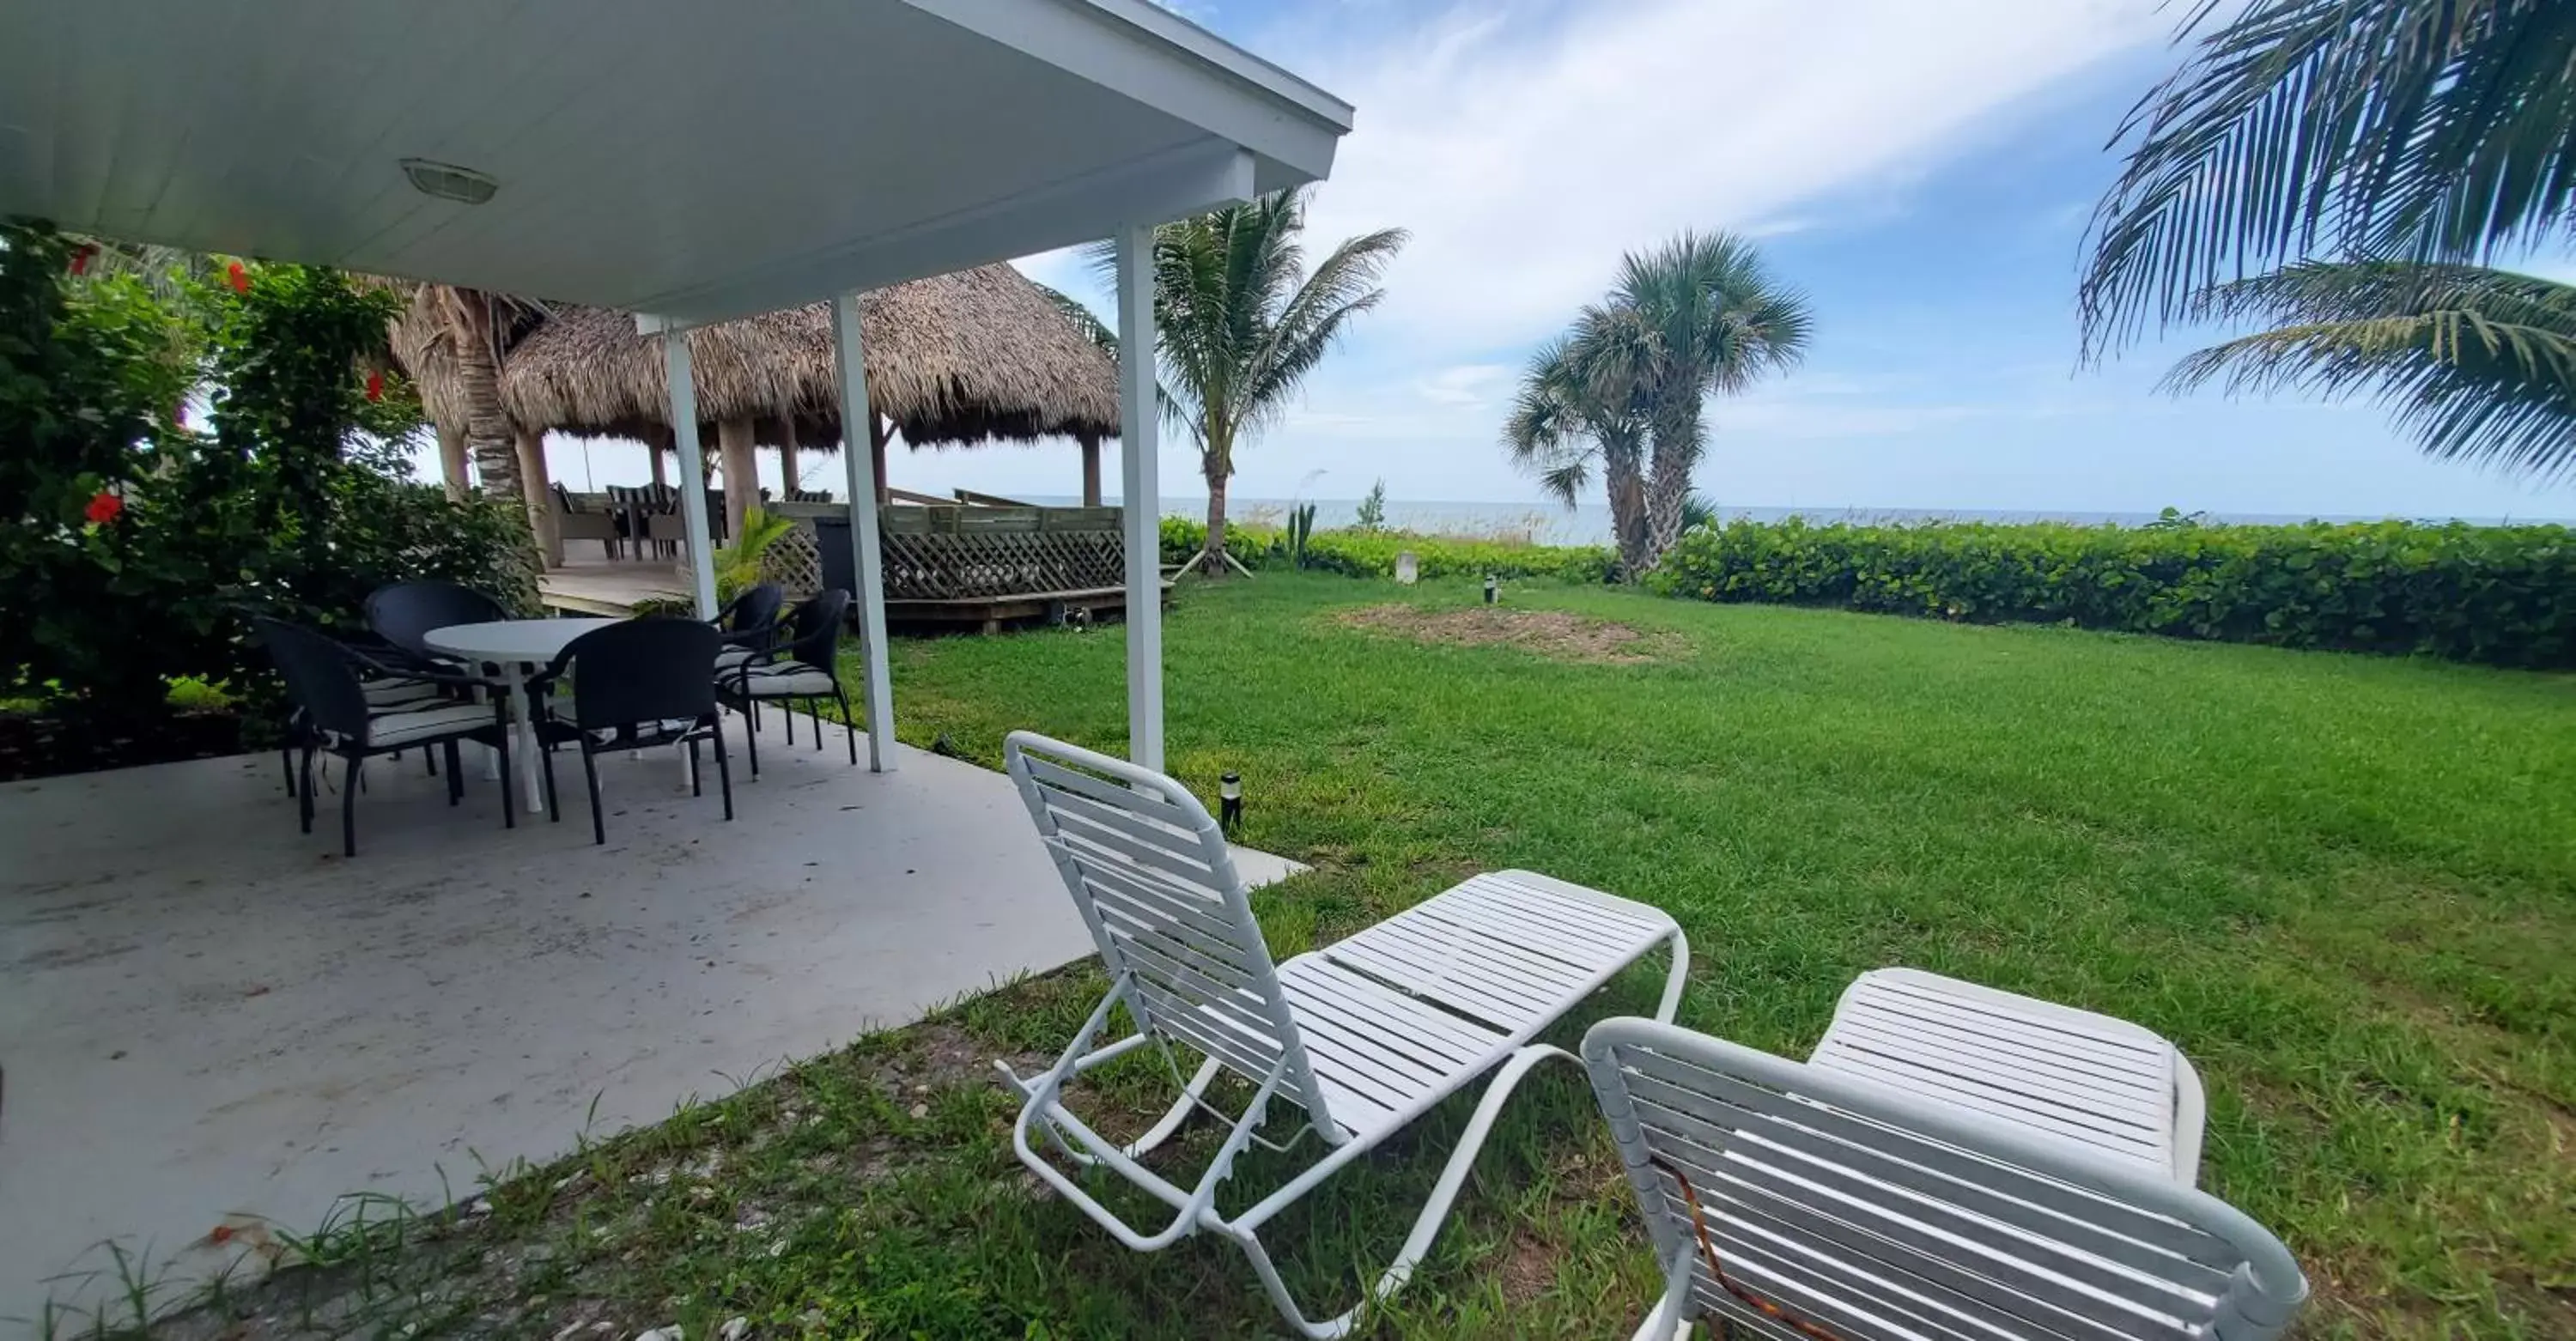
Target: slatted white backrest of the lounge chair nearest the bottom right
x,y
1871,1214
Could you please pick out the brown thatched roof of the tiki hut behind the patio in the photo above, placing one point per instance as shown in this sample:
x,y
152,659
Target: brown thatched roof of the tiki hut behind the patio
x,y
954,359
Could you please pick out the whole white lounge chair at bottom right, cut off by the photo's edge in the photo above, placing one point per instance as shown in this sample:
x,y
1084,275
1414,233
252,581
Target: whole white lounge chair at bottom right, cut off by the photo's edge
x,y
1956,1162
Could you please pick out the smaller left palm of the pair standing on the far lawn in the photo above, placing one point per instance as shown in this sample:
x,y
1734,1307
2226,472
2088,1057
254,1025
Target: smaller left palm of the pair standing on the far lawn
x,y
1562,429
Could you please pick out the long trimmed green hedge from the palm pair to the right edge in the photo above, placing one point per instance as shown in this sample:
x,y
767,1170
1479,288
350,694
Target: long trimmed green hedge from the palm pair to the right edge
x,y
2472,593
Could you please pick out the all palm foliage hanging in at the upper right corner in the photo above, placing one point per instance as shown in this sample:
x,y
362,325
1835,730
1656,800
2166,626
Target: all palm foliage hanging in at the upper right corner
x,y
2363,161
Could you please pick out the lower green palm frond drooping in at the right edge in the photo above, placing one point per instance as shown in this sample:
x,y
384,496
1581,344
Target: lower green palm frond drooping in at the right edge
x,y
2477,364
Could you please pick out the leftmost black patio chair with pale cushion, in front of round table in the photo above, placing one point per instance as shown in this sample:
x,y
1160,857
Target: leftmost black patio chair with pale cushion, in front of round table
x,y
323,681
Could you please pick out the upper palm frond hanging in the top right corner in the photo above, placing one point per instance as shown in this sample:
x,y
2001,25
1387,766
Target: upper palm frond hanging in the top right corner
x,y
2412,130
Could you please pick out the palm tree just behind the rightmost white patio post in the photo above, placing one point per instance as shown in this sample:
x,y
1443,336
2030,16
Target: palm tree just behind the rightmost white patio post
x,y
1238,326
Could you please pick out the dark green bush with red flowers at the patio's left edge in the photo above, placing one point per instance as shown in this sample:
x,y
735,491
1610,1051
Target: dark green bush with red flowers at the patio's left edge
x,y
133,542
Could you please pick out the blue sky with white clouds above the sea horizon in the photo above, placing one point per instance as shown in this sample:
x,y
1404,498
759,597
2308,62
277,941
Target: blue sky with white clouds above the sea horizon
x,y
1923,171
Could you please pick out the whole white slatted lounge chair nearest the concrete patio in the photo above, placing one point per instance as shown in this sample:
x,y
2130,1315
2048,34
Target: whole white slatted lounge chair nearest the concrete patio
x,y
1361,1036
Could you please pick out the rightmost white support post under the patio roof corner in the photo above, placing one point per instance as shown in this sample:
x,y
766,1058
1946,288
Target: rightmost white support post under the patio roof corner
x,y
1140,490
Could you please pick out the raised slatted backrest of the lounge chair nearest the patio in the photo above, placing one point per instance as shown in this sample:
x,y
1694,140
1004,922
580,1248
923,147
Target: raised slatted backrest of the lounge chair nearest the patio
x,y
1158,889
